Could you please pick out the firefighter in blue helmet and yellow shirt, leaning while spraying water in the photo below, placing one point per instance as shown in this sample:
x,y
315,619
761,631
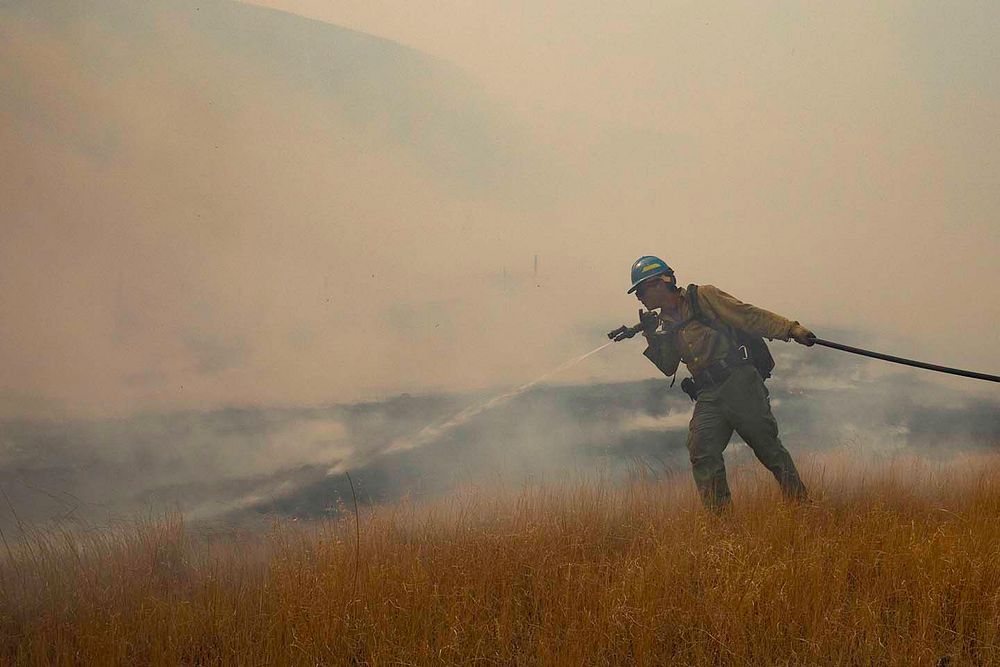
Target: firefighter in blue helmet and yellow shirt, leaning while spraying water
x,y
712,336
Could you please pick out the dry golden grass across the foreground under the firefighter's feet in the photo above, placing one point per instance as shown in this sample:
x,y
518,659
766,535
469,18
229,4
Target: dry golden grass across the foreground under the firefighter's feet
x,y
900,565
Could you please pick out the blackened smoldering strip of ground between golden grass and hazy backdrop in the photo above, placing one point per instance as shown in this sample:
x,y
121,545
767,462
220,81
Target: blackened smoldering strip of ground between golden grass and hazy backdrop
x,y
241,464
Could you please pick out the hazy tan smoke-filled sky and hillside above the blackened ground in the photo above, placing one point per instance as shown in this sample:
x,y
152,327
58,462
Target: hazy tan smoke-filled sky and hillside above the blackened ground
x,y
209,203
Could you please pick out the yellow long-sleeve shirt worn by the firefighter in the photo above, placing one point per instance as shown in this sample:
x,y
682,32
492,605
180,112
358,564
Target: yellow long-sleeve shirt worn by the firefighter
x,y
699,345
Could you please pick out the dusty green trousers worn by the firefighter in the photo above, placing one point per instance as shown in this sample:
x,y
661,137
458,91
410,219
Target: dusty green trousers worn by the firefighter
x,y
740,403
